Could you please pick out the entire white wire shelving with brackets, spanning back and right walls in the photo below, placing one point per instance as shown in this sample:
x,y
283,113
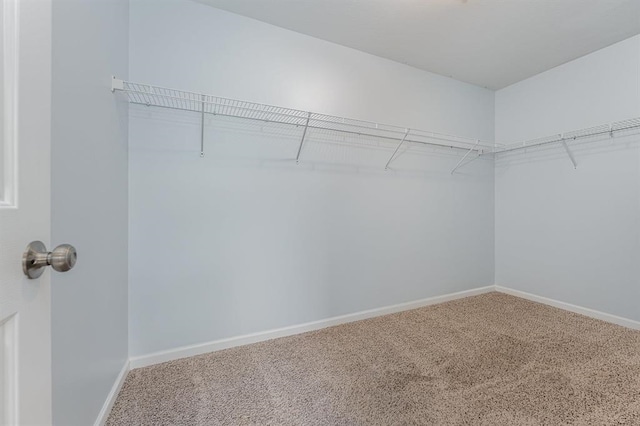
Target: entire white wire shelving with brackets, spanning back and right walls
x,y
149,95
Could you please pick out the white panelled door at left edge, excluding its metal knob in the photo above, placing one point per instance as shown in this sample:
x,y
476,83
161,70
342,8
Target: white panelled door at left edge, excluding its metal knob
x,y
25,140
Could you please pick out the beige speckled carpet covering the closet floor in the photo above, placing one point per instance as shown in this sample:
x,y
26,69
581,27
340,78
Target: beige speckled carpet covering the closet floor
x,y
491,359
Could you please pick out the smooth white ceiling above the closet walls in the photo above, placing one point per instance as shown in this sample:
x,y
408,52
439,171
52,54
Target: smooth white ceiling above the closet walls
x,y
490,43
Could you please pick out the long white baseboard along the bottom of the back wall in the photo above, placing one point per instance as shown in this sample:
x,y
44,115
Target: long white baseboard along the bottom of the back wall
x,y
187,351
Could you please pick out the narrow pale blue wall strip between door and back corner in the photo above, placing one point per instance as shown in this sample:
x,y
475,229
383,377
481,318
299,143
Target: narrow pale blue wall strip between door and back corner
x,y
89,205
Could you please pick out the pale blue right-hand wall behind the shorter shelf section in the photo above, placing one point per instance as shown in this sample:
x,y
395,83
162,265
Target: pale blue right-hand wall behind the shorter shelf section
x,y
572,235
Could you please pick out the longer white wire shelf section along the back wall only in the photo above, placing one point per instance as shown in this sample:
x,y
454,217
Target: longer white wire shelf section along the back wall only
x,y
145,94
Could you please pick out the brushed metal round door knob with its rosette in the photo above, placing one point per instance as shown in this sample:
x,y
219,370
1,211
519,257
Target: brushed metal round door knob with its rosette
x,y
36,257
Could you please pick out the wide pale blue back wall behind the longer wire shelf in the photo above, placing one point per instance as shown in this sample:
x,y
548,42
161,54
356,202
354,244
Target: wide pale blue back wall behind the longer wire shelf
x,y
243,240
